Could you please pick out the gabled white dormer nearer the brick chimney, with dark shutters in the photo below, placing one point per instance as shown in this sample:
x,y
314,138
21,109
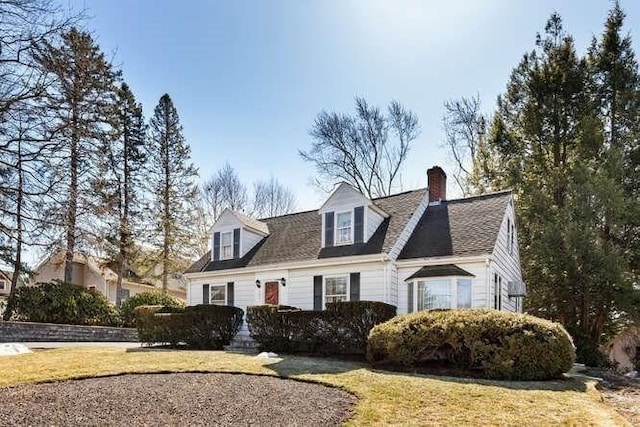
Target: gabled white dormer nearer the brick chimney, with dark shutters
x,y
349,217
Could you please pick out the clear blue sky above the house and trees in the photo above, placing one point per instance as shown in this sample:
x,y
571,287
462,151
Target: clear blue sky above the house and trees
x,y
249,77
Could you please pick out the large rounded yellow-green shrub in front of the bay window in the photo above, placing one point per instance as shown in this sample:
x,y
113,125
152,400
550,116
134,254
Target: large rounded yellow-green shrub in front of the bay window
x,y
489,343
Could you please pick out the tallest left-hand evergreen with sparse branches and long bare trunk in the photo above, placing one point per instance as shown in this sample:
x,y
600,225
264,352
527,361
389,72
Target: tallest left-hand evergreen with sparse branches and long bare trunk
x,y
79,99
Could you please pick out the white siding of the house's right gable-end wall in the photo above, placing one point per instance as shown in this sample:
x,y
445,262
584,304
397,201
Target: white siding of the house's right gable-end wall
x,y
506,263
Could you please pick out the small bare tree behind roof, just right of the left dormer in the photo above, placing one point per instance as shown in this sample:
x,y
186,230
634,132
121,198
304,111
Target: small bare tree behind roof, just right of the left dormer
x,y
270,198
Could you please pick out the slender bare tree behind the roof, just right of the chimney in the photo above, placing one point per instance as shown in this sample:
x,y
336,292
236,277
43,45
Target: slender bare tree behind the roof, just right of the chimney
x,y
465,129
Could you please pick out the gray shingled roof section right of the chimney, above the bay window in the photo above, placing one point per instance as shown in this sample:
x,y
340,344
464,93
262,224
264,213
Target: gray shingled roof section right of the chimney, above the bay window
x,y
458,227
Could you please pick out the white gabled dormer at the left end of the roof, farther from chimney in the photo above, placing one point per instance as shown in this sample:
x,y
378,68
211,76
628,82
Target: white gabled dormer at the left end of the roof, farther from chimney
x,y
234,234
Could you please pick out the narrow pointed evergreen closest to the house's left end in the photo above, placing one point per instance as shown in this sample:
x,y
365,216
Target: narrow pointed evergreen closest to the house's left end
x,y
171,179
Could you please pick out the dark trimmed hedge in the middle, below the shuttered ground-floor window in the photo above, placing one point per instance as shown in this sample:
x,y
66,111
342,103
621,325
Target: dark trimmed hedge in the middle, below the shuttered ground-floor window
x,y
341,329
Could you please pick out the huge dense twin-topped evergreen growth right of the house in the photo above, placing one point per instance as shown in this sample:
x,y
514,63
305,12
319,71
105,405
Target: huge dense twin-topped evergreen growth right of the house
x,y
558,139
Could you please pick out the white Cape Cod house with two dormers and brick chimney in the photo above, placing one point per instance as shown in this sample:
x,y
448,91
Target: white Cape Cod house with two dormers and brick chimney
x,y
415,250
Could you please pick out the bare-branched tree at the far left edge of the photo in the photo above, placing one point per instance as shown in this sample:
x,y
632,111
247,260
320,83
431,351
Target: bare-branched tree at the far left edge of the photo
x,y
24,145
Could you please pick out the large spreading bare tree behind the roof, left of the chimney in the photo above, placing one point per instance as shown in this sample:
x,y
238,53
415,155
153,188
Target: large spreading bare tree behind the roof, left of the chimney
x,y
366,150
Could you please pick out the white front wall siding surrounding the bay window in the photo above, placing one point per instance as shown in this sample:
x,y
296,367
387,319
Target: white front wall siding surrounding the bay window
x,y
478,284
